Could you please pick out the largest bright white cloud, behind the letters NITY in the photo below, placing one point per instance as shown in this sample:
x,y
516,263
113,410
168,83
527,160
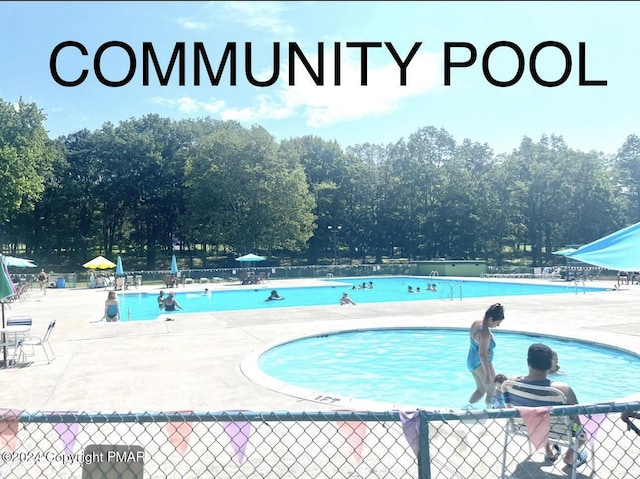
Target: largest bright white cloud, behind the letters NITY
x,y
328,104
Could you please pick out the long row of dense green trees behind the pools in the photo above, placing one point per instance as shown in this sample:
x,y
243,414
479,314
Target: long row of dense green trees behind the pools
x,y
217,188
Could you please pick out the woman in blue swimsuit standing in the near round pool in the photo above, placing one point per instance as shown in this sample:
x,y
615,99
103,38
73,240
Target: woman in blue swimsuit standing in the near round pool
x,y
480,357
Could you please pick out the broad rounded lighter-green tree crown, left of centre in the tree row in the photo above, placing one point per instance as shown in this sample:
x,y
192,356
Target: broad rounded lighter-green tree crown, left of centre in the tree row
x,y
244,193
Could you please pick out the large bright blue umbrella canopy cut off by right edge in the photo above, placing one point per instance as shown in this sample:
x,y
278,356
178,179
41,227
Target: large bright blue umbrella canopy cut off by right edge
x,y
619,250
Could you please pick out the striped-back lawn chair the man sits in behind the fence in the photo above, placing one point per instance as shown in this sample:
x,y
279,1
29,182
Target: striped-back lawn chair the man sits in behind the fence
x,y
561,429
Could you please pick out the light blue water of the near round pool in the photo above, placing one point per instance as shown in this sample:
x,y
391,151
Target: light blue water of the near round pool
x,y
427,367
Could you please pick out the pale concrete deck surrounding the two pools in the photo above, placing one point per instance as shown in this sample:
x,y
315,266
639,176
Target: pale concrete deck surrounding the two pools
x,y
194,362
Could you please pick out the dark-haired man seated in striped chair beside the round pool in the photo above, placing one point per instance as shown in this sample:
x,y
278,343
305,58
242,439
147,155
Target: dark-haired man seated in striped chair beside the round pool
x,y
539,362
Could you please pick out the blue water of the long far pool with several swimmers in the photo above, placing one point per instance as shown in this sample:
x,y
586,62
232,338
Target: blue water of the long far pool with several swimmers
x,y
143,306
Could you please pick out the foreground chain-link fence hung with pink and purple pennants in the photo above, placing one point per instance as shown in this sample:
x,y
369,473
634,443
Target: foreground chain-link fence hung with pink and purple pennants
x,y
337,444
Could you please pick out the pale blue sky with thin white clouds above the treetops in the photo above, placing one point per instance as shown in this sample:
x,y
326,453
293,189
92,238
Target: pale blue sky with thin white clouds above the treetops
x,y
588,117
